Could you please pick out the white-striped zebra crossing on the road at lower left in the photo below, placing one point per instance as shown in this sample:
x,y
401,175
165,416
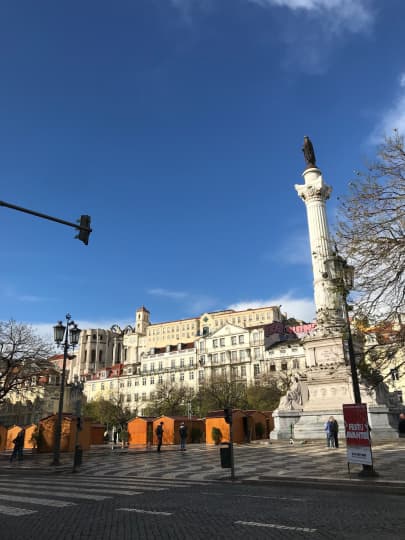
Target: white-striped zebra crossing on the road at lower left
x,y
26,496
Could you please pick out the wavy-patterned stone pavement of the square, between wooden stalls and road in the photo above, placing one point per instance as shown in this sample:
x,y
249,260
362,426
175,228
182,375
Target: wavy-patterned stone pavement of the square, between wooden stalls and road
x,y
259,462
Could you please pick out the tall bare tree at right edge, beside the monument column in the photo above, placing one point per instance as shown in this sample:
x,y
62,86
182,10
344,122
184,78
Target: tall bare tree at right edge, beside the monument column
x,y
371,234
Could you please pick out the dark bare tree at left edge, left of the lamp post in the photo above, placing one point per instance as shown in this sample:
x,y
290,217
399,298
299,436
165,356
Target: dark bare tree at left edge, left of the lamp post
x,y
23,357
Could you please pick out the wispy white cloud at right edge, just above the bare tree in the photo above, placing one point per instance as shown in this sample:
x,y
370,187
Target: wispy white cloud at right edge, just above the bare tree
x,y
393,117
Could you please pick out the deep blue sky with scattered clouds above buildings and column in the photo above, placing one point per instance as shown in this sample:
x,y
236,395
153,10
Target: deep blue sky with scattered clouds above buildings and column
x,y
178,125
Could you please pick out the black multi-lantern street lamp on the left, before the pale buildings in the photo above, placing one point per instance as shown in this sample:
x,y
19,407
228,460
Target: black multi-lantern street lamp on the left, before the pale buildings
x,y
66,336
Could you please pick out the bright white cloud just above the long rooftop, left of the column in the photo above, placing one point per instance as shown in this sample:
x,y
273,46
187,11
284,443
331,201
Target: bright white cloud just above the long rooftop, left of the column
x,y
300,308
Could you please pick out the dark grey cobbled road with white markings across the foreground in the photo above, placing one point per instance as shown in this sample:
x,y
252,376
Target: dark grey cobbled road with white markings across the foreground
x,y
61,507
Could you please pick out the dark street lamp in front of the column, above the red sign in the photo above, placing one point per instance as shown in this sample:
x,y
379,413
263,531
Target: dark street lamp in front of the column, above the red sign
x,y
342,274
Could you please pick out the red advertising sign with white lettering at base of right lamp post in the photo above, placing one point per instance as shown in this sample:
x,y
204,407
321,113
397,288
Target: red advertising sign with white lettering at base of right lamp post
x,y
357,434
